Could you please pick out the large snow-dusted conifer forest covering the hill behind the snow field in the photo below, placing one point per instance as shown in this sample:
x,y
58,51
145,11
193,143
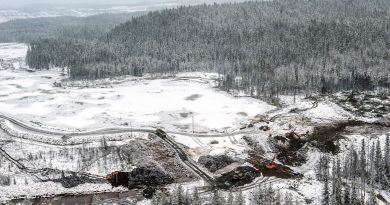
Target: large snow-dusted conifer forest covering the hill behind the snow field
x,y
263,48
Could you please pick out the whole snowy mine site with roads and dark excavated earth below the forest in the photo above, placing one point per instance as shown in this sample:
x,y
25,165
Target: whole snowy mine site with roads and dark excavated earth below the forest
x,y
81,141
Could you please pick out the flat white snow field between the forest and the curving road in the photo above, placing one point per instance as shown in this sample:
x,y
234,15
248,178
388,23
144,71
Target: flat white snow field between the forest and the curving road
x,y
169,103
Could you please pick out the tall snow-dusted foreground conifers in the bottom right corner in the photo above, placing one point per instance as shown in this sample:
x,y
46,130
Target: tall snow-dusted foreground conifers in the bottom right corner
x,y
356,177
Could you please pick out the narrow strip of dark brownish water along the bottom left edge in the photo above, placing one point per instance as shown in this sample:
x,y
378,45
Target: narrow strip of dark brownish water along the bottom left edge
x,y
87,199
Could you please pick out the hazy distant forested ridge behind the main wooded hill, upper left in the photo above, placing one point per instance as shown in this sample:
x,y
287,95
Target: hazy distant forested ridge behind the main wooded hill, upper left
x,y
92,27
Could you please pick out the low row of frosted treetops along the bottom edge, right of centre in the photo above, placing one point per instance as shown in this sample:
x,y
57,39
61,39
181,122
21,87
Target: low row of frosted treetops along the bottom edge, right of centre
x,y
264,194
